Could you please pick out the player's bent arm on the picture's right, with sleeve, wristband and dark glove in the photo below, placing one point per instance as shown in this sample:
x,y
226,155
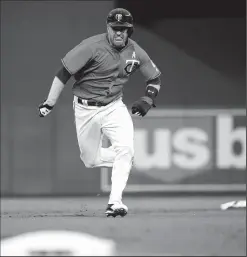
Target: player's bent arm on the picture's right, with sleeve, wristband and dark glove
x,y
152,76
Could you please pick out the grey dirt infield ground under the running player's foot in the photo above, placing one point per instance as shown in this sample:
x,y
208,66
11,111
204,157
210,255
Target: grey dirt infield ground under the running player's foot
x,y
154,225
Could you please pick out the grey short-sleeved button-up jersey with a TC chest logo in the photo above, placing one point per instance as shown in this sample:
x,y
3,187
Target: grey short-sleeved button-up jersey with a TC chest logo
x,y
101,71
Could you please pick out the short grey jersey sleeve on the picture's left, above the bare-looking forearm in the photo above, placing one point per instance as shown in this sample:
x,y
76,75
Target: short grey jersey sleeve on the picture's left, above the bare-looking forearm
x,y
77,58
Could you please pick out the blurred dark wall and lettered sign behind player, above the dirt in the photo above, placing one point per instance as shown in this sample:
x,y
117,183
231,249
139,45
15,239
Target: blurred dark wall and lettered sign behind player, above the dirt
x,y
194,141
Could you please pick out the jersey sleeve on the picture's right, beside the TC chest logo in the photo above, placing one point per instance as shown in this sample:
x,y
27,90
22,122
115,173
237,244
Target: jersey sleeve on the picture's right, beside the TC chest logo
x,y
148,69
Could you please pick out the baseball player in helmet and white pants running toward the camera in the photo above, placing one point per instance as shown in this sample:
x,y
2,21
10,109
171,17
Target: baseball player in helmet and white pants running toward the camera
x,y
101,65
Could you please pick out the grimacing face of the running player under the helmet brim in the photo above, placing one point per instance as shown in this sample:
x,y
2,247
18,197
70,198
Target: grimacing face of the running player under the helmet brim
x,y
117,36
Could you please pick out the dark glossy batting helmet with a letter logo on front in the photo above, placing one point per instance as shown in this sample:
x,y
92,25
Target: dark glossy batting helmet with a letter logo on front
x,y
120,17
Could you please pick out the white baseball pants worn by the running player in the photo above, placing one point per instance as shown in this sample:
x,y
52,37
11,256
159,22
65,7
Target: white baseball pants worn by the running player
x,y
115,122
